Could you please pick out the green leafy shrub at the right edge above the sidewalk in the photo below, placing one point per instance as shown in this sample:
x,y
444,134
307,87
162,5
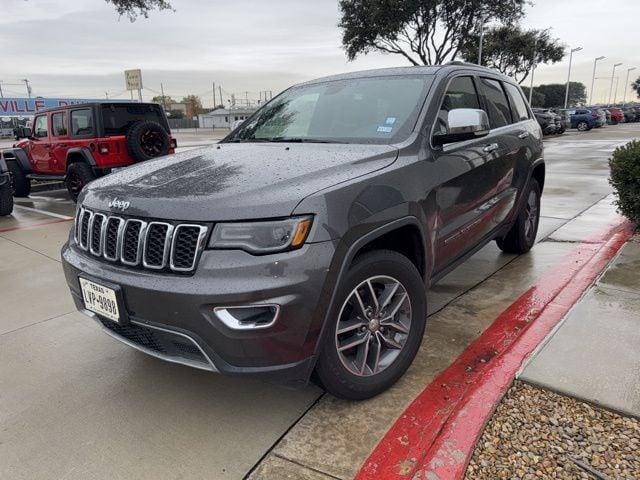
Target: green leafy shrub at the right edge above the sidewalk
x,y
625,179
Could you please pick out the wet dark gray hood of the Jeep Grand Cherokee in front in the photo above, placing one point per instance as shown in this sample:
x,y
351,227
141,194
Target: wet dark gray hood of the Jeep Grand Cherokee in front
x,y
233,181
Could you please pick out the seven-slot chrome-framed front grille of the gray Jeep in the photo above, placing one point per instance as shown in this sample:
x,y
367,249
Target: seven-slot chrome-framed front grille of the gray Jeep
x,y
137,243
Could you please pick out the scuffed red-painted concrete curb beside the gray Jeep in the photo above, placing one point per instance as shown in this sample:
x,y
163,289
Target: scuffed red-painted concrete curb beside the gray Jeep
x,y
436,435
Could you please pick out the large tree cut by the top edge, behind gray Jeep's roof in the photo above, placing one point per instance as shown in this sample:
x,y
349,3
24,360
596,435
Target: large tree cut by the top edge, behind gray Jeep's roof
x,y
424,32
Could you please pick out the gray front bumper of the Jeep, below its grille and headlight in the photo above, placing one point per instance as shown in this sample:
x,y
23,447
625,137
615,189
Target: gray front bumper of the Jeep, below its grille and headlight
x,y
172,316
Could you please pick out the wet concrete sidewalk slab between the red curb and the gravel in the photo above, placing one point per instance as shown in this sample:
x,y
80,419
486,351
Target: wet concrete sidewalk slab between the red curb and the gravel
x,y
594,354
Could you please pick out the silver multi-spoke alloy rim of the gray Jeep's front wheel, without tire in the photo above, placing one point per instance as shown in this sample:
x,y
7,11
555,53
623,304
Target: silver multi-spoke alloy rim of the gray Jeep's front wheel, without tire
x,y
373,325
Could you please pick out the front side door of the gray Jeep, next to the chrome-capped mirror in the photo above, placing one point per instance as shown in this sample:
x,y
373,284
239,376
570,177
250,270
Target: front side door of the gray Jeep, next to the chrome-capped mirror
x,y
471,174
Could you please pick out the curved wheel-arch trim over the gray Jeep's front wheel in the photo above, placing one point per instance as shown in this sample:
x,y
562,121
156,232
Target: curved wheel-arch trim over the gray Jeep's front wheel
x,y
345,260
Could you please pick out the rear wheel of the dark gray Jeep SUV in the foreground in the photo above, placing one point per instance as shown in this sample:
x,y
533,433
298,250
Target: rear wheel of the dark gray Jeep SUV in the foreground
x,y
522,235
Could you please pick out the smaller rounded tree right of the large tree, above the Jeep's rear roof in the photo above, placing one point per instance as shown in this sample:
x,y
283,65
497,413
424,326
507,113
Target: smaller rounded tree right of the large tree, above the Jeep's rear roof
x,y
510,50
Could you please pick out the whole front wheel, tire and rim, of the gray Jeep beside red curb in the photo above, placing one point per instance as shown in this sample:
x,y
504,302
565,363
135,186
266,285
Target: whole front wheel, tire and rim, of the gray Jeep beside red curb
x,y
377,328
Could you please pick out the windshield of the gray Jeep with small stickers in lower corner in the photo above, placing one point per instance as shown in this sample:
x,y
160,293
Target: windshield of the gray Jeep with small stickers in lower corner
x,y
364,110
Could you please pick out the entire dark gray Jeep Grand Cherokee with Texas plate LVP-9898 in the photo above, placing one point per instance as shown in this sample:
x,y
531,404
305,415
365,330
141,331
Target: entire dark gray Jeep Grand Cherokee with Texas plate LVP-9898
x,y
302,245
